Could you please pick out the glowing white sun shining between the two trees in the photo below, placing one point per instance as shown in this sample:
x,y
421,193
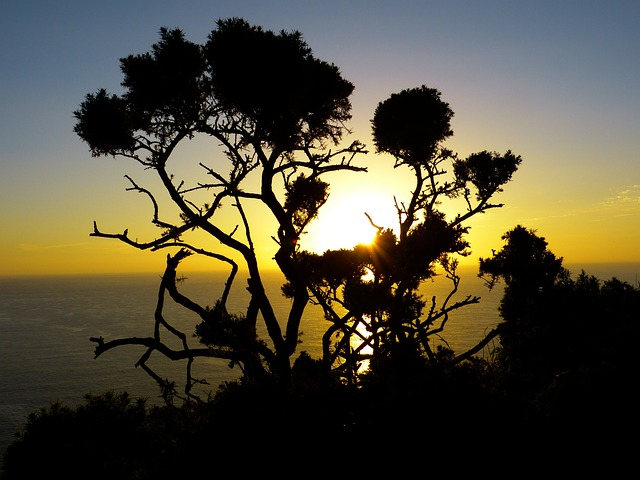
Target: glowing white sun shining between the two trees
x,y
343,222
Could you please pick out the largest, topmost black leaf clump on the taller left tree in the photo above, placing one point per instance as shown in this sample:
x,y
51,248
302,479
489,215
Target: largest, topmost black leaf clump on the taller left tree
x,y
274,80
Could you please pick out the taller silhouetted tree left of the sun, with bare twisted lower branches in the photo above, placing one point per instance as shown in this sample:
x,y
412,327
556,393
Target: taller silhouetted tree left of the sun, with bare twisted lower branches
x,y
274,108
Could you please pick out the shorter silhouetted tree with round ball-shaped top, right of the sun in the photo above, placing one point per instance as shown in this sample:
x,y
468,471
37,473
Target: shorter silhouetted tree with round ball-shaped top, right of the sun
x,y
372,297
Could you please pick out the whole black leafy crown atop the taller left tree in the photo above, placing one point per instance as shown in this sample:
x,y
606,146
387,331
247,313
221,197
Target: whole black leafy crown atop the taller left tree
x,y
269,85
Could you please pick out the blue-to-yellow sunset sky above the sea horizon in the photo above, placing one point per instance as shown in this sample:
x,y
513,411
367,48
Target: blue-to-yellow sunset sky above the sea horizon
x,y
557,82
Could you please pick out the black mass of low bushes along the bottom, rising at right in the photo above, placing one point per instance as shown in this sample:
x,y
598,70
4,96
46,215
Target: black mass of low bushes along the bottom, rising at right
x,y
560,390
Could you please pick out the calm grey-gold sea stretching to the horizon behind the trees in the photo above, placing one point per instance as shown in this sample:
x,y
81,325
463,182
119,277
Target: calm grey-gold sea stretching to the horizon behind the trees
x,y
46,322
